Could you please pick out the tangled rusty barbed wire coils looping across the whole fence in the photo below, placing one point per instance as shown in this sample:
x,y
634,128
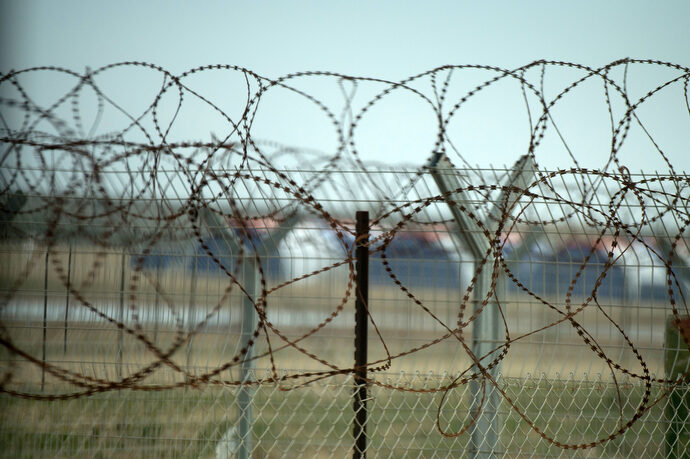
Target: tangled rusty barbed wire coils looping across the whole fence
x,y
53,166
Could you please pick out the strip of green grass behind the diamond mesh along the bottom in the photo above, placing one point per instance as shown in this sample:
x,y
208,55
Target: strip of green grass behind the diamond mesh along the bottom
x,y
316,421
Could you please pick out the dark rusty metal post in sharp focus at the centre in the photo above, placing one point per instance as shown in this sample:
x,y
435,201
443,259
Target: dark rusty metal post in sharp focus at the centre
x,y
361,320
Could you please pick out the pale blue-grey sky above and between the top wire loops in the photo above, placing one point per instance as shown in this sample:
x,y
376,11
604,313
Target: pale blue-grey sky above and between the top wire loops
x,y
390,40
